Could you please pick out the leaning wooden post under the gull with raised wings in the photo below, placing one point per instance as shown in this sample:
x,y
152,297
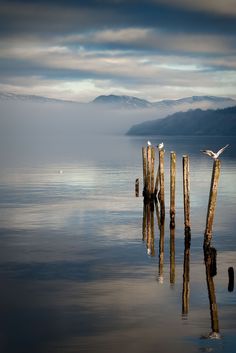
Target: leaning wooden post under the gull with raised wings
x,y
212,202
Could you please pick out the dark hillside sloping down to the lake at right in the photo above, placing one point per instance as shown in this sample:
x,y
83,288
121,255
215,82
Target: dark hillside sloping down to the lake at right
x,y
193,122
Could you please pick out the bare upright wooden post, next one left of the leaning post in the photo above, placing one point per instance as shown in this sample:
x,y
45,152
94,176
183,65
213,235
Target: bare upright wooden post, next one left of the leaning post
x,y
186,189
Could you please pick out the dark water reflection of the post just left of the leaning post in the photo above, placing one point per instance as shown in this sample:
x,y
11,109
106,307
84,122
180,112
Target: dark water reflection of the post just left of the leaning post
x,y
186,273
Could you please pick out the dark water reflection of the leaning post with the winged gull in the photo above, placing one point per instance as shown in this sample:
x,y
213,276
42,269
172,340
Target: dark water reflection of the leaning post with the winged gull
x,y
210,264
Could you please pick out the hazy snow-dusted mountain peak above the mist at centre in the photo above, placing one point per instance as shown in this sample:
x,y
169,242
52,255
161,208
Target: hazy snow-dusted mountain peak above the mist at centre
x,y
127,102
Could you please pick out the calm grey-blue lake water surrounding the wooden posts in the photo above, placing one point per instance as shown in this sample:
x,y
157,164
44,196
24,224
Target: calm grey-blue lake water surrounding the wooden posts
x,y
75,272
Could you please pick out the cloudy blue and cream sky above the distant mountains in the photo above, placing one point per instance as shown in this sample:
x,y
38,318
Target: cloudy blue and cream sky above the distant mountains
x,y
151,49
